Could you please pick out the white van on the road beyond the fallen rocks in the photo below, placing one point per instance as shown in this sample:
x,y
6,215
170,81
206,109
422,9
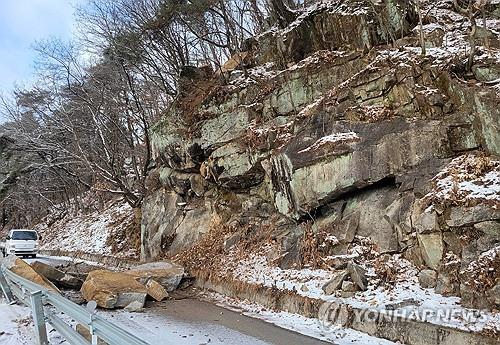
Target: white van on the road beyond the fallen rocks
x,y
21,242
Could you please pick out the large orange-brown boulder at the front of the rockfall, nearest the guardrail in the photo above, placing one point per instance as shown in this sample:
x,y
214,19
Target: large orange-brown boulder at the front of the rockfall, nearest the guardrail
x,y
113,289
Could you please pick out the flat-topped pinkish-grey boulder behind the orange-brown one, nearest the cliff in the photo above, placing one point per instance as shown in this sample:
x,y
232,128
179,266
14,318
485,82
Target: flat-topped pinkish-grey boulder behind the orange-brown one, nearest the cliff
x,y
166,273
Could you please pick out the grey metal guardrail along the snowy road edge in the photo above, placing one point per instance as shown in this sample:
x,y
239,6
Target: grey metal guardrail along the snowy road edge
x,y
45,304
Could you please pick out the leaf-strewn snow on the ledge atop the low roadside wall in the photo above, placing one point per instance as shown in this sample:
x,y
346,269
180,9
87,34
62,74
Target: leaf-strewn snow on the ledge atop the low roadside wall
x,y
405,296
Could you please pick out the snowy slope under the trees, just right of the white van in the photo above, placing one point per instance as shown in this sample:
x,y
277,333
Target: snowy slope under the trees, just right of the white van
x,y
91,233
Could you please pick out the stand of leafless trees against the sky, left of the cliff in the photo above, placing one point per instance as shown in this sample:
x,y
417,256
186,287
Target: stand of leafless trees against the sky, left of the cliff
x,y
86,125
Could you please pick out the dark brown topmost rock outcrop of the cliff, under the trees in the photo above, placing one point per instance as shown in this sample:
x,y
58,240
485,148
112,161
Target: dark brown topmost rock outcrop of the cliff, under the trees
x,y
346,25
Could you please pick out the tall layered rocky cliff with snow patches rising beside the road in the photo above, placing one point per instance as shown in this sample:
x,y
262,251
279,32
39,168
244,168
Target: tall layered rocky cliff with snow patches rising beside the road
x,y
337,133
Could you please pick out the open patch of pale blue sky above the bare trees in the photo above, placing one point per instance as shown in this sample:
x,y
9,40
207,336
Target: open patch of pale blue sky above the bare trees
x,y
22,22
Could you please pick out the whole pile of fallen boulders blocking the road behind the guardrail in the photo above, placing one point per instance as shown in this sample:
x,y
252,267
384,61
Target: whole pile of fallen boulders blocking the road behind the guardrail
x,y
109,289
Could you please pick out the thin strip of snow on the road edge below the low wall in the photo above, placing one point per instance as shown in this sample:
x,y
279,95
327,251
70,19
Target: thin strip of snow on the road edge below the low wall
x,y
308,326
